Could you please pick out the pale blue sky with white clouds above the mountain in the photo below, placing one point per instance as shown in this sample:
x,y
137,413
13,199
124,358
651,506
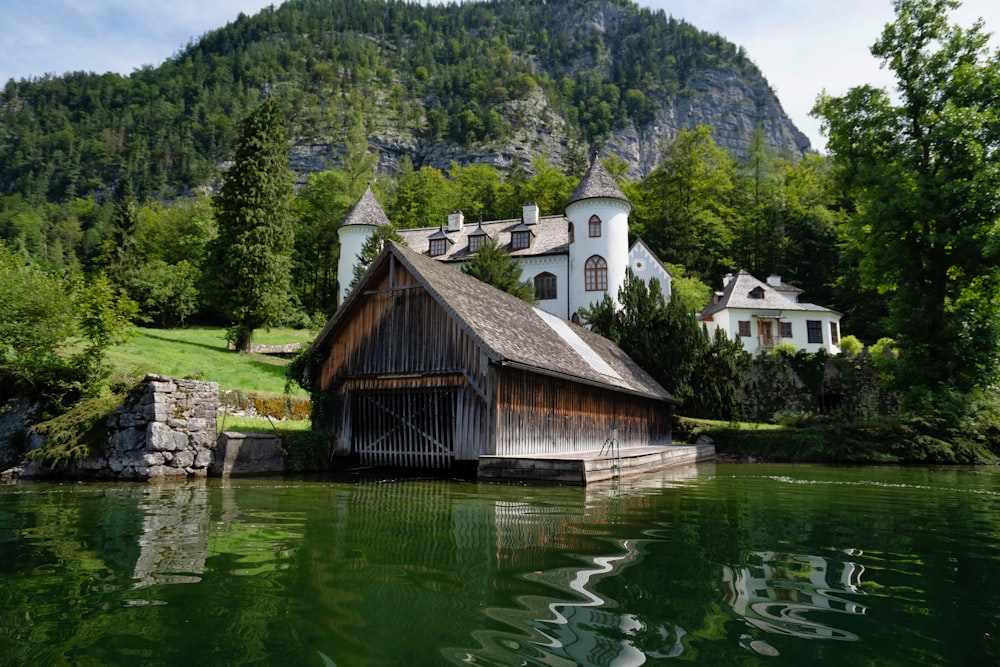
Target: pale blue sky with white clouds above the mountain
x,y
802,46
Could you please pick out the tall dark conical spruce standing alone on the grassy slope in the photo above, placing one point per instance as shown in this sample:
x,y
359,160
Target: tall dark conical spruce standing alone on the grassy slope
x,y
251,257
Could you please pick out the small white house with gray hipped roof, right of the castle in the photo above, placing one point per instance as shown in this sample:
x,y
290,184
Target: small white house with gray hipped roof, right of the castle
x,y
765,314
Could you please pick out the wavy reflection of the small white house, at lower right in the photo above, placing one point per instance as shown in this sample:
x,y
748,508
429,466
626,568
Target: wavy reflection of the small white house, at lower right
x,y
778,593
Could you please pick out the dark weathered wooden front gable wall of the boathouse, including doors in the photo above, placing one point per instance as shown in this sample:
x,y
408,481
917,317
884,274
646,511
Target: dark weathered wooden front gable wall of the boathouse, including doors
x,y
414,388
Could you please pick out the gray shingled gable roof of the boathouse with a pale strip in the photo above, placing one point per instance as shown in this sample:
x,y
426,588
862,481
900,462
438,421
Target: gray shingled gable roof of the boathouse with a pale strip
x,y
510,331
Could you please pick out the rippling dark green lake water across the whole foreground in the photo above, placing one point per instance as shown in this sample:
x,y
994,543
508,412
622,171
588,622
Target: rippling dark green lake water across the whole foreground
x,y
711,564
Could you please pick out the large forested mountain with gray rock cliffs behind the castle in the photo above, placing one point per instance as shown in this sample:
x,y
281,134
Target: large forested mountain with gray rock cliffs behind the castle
x,y
499,82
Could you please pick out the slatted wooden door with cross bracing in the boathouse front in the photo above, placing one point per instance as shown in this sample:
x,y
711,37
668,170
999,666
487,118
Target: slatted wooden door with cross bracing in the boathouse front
x,y
411,427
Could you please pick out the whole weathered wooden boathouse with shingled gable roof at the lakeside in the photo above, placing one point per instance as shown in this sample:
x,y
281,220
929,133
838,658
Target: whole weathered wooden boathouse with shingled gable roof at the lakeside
x,y
424,366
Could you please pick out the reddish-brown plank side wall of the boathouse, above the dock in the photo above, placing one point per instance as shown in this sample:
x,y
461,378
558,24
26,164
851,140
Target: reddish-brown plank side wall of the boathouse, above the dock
x,y
539,413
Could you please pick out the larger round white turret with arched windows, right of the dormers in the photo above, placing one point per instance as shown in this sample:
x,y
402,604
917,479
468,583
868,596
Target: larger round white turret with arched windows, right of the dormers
x,y
598,252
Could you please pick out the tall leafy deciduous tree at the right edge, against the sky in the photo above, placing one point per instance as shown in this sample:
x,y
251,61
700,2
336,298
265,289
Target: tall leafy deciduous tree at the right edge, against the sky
x,y
926,177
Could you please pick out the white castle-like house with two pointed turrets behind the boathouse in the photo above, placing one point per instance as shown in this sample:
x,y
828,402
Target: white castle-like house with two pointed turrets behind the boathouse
x,y
572,259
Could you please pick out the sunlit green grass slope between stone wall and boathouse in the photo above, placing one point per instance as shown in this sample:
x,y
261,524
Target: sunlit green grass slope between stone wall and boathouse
x,y
201,352
